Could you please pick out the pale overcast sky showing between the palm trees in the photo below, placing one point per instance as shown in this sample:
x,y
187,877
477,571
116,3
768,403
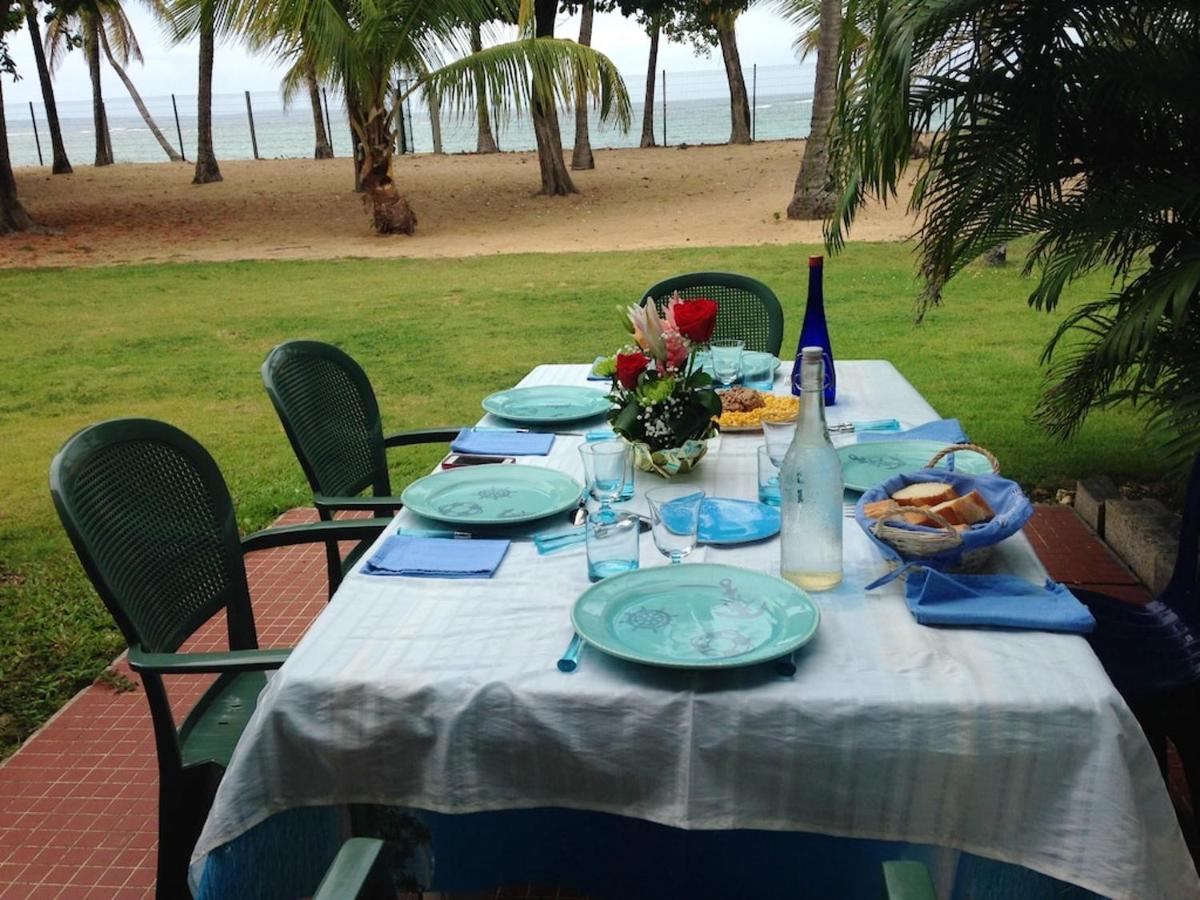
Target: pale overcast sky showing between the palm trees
x,y
764,39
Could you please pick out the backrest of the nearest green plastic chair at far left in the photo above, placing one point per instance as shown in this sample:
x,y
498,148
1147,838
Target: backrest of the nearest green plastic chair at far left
x,y
153,524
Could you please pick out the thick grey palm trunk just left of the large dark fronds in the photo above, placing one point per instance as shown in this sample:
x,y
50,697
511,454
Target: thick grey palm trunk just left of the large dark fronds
x,y
814,196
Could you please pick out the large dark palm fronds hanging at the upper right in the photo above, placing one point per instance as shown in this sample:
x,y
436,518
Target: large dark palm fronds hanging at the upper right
x,y
1071,123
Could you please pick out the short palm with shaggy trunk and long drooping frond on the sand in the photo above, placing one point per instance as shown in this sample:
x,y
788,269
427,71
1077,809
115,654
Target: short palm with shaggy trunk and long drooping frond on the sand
x,y
359,46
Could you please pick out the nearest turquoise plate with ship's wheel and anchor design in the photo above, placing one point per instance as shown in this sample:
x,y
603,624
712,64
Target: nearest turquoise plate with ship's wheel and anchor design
x,y
700,616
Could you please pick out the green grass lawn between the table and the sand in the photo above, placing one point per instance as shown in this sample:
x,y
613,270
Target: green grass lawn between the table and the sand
x,y
185,343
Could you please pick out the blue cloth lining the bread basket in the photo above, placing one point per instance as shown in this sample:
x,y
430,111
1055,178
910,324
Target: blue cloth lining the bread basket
x,y
1006,499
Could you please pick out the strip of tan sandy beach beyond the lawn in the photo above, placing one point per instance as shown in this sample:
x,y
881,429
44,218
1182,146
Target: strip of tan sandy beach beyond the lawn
x,y
466,206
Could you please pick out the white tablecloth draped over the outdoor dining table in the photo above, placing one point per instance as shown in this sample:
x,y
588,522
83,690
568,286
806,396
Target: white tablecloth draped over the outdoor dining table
x,y
445,695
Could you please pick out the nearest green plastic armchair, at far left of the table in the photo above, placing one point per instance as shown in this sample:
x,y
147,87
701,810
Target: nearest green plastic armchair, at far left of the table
x,y
154,526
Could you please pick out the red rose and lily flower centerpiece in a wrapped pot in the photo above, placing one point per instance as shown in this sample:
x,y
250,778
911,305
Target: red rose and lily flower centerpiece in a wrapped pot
x,y
663,404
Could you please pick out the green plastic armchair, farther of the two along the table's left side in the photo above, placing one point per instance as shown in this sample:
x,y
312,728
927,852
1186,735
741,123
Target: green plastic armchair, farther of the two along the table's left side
x,y
332,418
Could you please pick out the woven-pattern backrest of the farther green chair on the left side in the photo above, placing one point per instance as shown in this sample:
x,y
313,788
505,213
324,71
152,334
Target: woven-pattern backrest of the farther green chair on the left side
x,y
331,416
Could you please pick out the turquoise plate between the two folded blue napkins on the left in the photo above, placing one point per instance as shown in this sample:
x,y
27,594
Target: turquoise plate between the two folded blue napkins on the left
x,y
493,495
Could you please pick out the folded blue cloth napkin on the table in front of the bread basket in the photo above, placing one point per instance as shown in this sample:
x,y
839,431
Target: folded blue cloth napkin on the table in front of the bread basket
x,y
994,601
